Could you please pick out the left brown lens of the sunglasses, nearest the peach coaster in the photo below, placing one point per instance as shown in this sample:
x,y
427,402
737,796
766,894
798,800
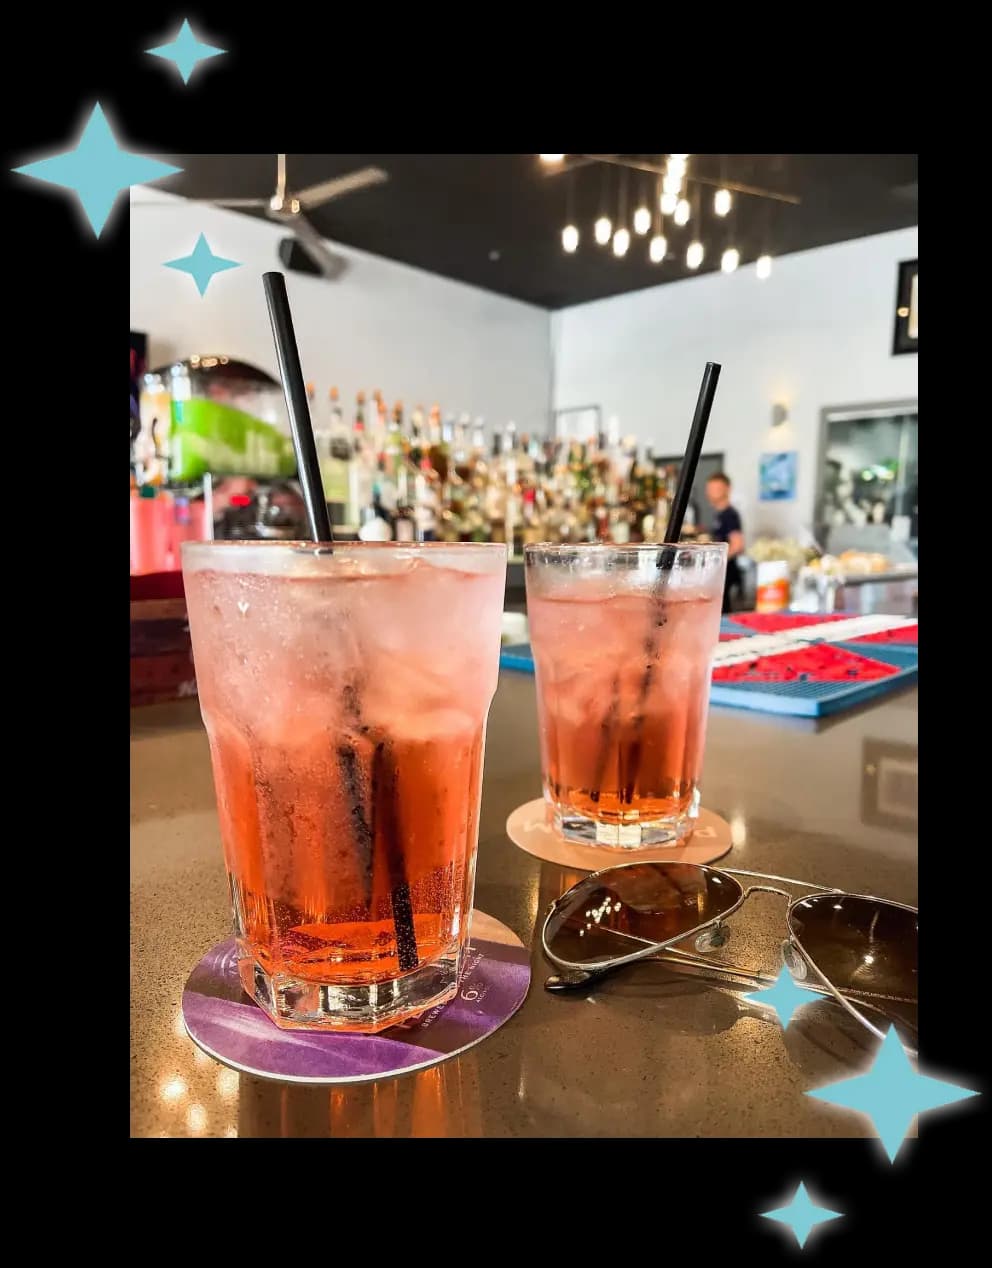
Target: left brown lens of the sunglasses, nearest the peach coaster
x,y
618,911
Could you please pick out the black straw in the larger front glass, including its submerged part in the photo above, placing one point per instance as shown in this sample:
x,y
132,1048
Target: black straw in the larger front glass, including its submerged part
x,y
384,777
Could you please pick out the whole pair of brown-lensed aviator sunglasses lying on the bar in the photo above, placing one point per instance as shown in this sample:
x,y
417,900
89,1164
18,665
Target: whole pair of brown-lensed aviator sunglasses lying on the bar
x,y
858,950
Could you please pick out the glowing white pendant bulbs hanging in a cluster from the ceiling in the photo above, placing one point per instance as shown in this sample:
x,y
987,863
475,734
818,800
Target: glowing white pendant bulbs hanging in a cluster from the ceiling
x,y
673,202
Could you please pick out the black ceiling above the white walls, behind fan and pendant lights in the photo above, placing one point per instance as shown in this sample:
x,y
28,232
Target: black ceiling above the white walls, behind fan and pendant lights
x,y
495,221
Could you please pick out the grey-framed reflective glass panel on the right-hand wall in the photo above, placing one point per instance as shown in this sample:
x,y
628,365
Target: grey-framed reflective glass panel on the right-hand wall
x,y
867,486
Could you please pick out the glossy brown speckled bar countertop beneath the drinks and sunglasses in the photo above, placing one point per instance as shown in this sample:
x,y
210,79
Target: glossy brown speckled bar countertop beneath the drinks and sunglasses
x,y
649,1053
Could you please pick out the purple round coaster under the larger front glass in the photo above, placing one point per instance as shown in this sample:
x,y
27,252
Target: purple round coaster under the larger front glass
x,y
230,1028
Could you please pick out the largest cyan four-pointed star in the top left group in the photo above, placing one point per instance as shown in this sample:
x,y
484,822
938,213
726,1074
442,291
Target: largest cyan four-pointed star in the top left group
x,y
98,171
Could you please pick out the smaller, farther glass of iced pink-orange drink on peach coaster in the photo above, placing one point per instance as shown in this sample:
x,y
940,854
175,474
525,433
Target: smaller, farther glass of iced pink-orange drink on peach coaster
x,y
623,640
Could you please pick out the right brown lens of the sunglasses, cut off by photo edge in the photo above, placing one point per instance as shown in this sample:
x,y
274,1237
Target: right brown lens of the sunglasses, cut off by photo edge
x,y
866,948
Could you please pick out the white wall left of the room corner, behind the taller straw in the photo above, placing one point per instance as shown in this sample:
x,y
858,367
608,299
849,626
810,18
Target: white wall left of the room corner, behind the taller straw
x,y
417,337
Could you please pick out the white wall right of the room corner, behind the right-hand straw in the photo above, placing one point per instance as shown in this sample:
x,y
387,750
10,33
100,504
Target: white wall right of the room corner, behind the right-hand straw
x,y
818,333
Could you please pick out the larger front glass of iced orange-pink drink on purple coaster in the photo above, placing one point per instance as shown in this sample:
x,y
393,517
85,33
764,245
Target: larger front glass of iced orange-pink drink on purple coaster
x,y
346,698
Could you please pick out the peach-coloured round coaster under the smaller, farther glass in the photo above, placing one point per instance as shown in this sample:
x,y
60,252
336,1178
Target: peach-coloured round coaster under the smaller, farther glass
x,y
531,829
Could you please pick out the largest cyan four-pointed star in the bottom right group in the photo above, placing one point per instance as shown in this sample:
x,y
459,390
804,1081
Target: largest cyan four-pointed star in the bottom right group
x,y
892,1094
